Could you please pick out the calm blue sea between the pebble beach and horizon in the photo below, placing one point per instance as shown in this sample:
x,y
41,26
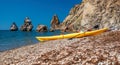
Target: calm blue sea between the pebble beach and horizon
x,y
15,39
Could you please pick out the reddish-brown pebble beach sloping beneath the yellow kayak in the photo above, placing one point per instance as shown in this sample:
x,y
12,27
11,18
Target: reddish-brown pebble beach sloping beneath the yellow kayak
x,y
94,50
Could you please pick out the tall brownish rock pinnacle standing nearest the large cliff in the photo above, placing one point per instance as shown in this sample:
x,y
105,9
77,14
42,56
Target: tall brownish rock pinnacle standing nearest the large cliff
x,y
55,23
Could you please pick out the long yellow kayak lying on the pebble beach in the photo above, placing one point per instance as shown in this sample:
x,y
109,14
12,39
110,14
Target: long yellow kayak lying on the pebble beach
x,y
72,35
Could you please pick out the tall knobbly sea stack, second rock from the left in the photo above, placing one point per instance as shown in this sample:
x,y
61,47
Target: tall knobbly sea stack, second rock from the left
x,y
27,26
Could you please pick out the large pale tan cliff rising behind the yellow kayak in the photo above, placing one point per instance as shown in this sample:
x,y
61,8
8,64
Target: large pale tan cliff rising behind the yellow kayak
x,y
93,14
